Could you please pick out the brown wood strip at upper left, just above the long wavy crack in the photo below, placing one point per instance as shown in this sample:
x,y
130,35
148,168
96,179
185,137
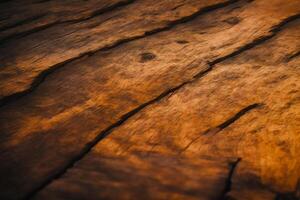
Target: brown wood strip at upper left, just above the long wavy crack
x,y
42,52
